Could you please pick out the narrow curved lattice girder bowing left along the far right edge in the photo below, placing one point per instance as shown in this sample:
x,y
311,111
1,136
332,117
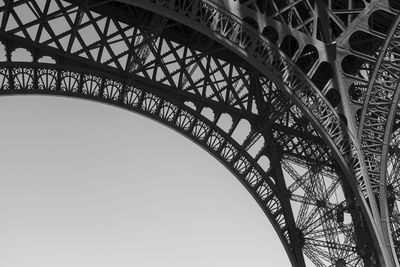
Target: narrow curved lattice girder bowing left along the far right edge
x,y
376,123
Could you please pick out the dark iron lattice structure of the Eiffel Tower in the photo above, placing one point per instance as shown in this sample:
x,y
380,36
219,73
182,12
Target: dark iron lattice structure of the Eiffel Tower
x,y
297,98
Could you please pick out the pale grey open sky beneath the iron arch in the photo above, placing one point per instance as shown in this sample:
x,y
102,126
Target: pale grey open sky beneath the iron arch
x,y
84,184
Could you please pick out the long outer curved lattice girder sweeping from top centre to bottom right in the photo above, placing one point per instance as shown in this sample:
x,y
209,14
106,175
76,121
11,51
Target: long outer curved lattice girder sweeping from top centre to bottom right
x,y
207,15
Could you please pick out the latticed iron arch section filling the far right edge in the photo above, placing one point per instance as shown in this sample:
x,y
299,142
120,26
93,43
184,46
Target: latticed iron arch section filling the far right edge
x,y
374,93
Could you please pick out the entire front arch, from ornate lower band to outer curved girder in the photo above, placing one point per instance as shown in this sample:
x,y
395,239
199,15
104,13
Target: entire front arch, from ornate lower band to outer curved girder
x,y
290,157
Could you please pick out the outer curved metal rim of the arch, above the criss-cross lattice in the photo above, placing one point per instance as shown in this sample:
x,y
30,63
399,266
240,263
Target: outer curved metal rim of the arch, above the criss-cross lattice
x,y
338,136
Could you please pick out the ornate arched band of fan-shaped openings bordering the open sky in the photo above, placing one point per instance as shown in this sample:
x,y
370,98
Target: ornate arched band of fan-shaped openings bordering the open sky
x,y
33,88
